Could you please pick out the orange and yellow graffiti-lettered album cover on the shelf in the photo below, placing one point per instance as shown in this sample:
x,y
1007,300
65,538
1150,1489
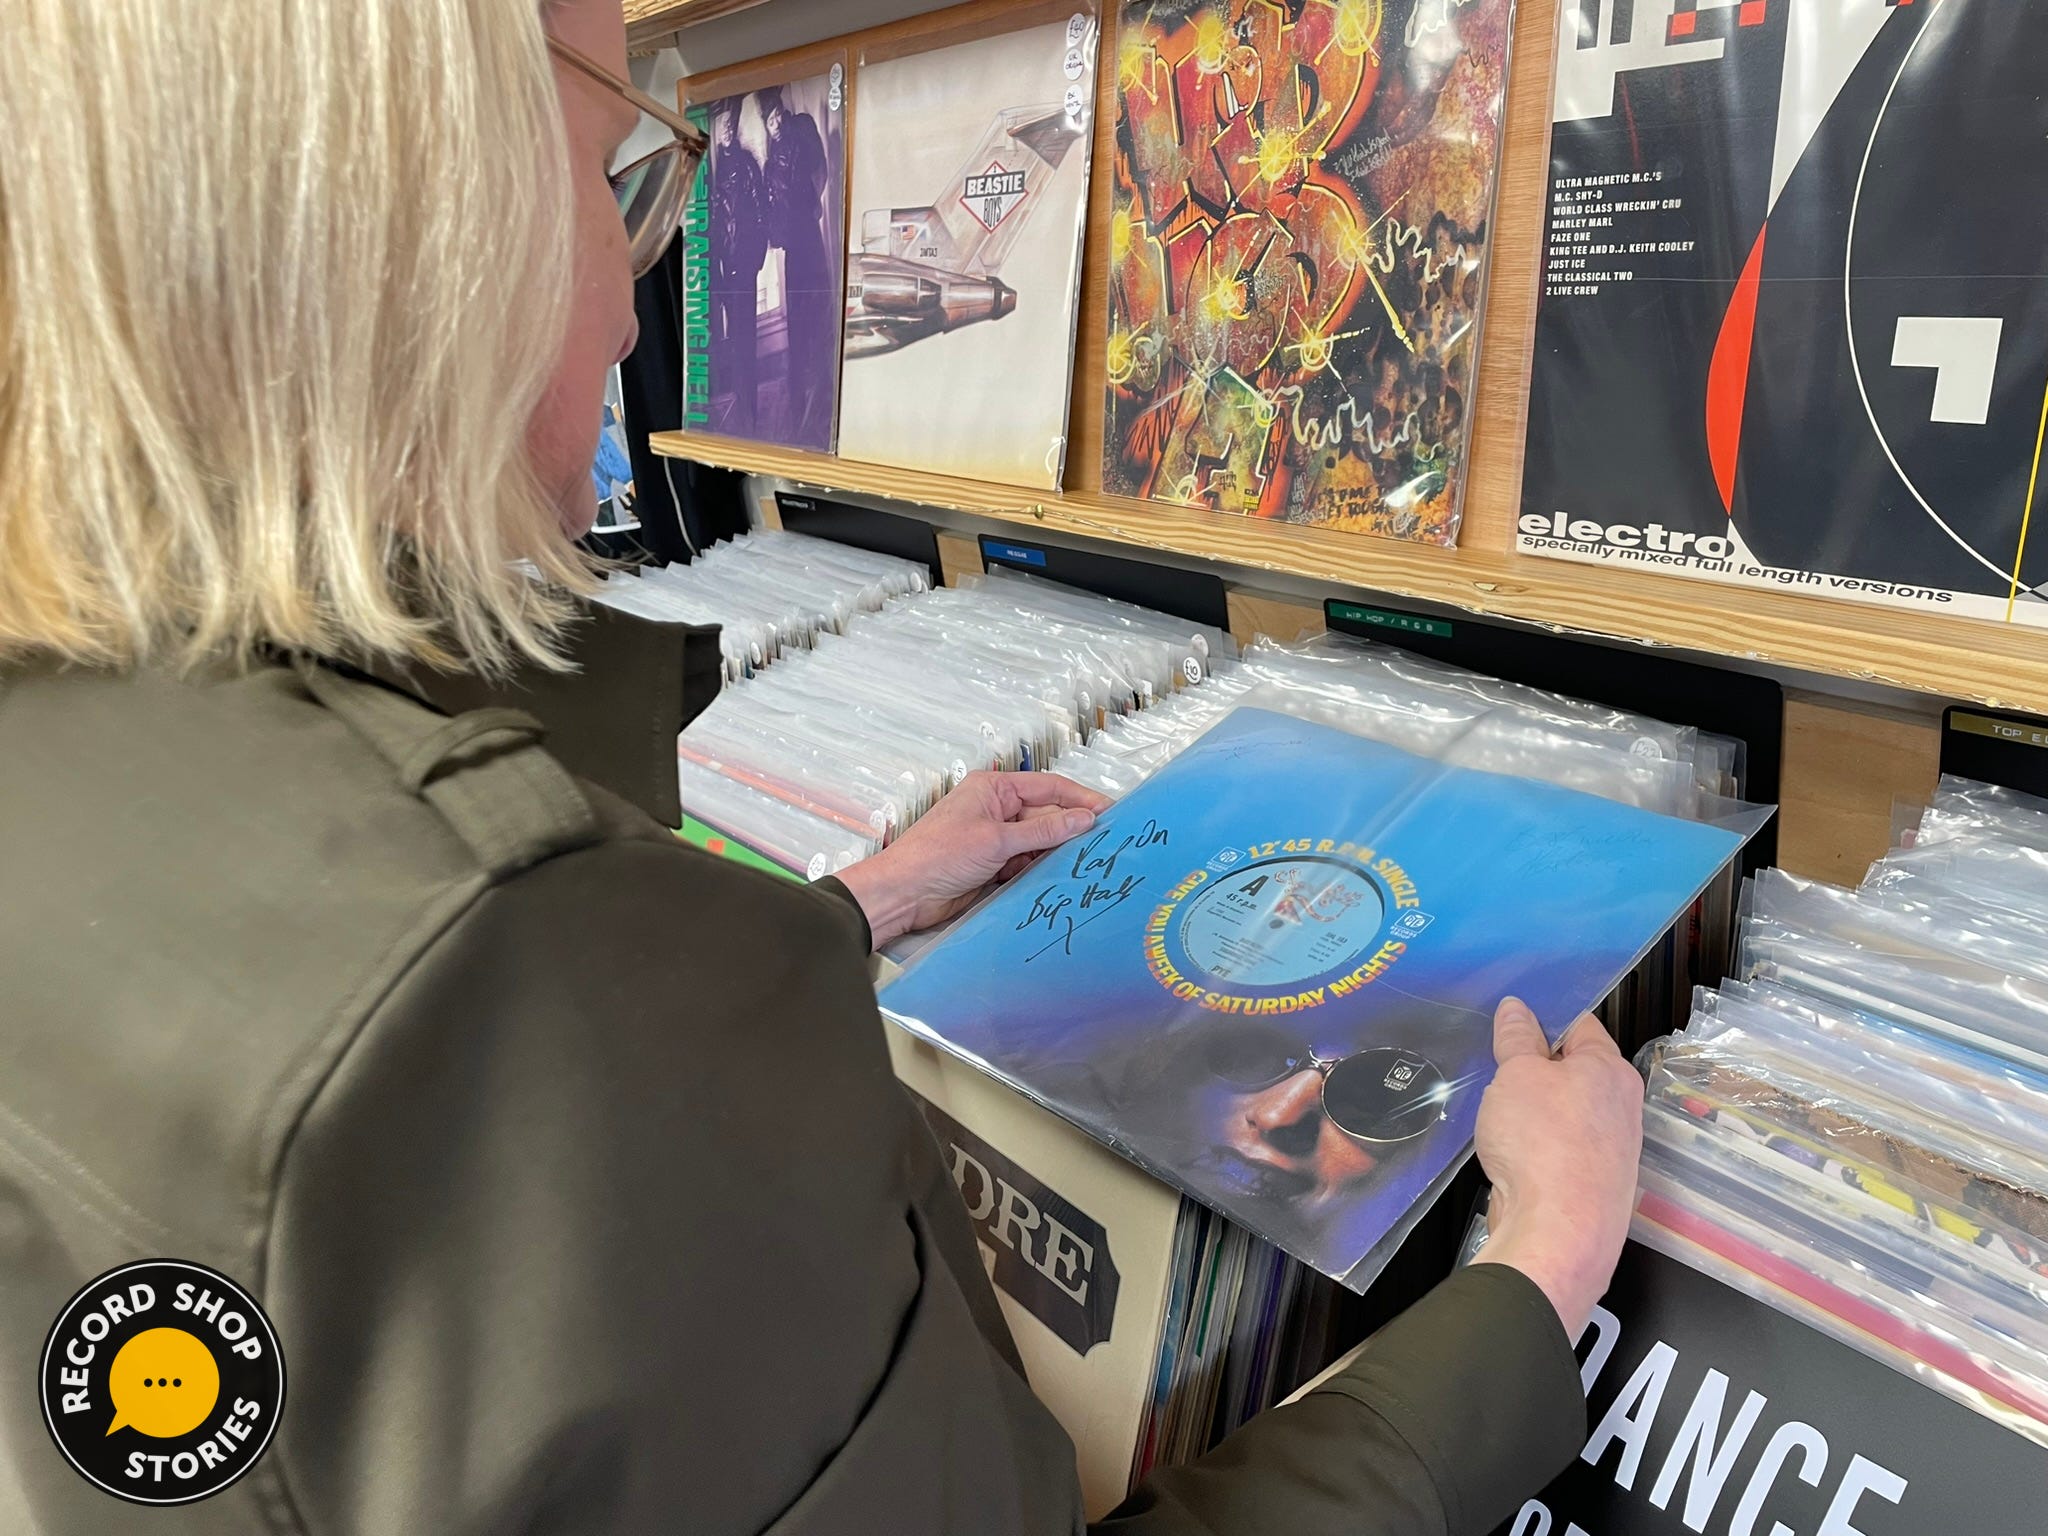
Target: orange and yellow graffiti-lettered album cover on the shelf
x,y
1299,255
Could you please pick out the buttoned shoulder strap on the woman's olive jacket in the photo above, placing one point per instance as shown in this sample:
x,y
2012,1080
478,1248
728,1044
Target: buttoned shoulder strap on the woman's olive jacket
x,y
486,771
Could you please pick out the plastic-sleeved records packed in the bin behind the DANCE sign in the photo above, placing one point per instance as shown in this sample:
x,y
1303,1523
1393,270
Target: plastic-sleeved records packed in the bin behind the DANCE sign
x,y
1859,1129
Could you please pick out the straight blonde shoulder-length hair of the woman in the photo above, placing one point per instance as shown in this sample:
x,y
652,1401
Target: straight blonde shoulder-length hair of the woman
x,y
280,292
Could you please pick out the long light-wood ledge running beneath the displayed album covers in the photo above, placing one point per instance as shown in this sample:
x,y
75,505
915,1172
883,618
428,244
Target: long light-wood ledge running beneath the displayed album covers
x,y
1969,660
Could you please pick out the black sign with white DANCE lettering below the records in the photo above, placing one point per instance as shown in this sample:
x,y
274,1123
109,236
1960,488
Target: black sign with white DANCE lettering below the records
x,y
1717,1416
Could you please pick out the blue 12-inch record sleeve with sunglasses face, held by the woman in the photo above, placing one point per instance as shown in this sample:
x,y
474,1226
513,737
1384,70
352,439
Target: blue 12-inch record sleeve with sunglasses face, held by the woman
x,y
1271,972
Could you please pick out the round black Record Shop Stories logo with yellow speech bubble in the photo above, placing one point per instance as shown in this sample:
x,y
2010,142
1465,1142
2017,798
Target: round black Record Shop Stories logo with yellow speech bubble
x,y
163,1381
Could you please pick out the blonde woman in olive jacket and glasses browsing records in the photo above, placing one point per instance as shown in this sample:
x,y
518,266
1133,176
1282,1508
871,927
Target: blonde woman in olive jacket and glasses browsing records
x,y
564,1160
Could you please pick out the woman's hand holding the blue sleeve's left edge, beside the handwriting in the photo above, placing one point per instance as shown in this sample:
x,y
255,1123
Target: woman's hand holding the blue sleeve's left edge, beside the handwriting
x,y
978,837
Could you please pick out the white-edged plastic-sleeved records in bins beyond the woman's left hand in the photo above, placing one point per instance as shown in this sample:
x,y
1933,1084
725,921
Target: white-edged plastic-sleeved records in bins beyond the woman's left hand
x,y
863,695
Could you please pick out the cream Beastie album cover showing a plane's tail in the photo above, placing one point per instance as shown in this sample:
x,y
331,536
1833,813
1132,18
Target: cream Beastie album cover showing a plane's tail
x,y
970,191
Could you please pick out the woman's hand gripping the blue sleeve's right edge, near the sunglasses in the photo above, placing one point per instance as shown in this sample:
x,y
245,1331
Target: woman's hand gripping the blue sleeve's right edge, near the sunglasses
x,y
1560,1138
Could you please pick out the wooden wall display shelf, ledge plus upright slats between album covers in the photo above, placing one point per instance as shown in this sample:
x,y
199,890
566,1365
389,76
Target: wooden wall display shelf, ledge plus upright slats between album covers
x,y
1957,658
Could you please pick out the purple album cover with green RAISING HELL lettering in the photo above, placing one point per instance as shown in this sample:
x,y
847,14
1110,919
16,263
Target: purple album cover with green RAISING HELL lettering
x,y
765,263
